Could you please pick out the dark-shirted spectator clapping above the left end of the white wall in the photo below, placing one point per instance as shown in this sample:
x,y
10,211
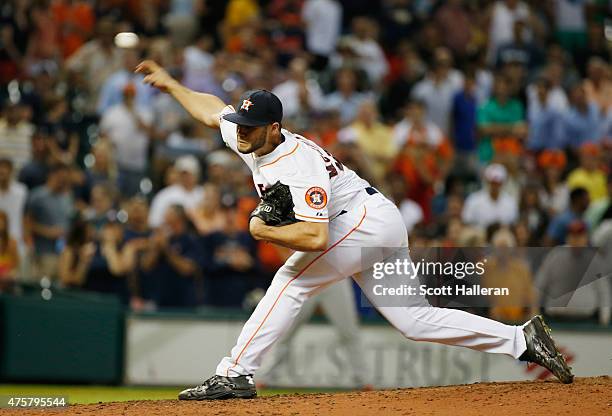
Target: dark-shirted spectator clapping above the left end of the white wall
x,y
175,257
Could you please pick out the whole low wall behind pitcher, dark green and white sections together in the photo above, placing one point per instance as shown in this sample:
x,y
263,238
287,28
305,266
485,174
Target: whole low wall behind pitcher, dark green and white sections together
x,y
89,338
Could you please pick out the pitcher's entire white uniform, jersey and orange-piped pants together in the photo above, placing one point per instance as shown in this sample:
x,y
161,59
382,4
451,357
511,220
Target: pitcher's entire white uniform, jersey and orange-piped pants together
x,y
321,189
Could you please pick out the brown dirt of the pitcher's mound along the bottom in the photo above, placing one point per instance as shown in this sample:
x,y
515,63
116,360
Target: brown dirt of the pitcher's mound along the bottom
x,y
586,396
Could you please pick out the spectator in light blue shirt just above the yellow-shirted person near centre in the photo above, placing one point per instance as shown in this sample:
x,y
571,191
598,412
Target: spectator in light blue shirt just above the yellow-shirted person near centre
x,y
345,99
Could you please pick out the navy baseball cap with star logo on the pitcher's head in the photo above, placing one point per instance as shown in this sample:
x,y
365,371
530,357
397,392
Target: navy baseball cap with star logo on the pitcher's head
x,y
257,108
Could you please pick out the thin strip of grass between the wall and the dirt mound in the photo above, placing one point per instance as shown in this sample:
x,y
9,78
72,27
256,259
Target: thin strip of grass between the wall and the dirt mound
x,y
95,394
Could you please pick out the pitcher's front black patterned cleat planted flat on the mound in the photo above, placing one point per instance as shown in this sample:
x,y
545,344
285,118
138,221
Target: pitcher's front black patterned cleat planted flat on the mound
x,y
219,388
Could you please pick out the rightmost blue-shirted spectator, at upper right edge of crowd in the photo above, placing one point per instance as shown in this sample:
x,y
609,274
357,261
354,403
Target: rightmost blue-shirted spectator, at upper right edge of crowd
x,y
582,122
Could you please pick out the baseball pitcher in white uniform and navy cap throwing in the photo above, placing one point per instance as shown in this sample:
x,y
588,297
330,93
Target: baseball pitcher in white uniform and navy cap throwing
x,y
313,204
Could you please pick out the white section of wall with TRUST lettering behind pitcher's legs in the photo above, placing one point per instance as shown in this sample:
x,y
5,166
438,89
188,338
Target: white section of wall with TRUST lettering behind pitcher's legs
x,y
186,351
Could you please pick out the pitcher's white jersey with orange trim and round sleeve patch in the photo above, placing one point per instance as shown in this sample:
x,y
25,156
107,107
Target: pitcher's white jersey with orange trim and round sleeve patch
x,y
321,187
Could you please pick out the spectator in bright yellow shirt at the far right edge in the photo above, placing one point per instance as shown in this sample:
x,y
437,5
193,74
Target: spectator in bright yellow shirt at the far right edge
x,y
589,175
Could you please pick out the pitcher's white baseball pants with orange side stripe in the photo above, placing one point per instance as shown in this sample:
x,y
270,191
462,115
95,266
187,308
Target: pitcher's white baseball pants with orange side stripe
x,y
373,221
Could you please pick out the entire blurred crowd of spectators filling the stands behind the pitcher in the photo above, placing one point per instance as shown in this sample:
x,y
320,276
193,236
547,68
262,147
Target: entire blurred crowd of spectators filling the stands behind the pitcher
x,y
487,122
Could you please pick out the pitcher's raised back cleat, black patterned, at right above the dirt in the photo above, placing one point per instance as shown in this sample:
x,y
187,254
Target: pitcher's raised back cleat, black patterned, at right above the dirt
x,y
541,349
